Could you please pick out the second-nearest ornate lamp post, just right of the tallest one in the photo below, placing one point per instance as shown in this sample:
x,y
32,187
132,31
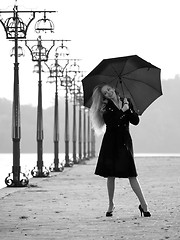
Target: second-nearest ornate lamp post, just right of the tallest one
x,y
39,54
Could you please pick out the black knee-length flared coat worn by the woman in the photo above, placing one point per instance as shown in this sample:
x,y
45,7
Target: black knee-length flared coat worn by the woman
x,y
116,153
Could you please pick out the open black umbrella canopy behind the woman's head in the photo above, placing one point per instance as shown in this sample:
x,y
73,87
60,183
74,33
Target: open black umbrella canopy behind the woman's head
x,y
132,76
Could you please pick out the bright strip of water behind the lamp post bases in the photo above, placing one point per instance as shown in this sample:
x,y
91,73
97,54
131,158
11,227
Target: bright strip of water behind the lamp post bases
x,y
27,161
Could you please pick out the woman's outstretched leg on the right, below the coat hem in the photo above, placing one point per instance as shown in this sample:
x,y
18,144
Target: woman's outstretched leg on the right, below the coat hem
x,y
137,189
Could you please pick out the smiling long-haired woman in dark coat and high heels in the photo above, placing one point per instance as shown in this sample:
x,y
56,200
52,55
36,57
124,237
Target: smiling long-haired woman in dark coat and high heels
x,y
116,153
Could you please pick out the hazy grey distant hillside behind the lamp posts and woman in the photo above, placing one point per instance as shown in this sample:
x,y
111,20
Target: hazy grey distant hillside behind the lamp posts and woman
x,y
158,131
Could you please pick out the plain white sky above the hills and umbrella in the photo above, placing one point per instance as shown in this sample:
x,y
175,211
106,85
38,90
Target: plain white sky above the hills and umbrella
x,y
97,29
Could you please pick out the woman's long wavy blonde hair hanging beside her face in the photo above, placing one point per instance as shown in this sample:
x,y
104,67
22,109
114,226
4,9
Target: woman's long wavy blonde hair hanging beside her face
x,y
96,112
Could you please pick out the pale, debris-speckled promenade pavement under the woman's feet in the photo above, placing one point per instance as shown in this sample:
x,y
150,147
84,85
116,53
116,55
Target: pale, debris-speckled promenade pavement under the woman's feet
x,y
72,204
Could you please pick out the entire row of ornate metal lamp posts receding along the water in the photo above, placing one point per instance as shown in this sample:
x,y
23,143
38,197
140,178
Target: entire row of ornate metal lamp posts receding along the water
x,y
16,30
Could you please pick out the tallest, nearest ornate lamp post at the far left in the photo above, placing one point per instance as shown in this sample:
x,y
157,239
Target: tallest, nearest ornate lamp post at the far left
x,y
16,29
